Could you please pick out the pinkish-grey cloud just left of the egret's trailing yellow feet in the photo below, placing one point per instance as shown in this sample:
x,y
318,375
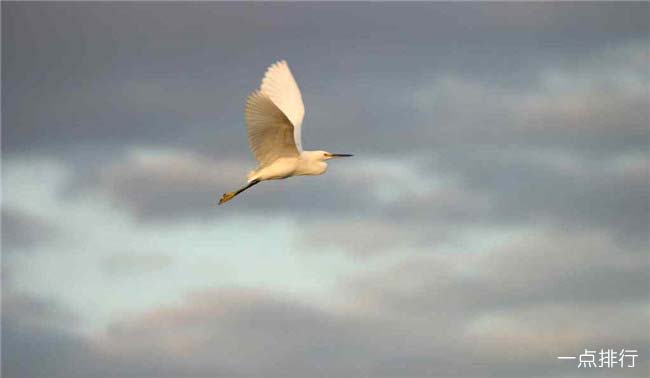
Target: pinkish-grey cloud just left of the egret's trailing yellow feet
x,y
169,183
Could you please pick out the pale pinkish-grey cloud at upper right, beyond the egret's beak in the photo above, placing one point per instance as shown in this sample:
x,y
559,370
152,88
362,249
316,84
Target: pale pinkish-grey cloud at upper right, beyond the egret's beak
x,y
595,106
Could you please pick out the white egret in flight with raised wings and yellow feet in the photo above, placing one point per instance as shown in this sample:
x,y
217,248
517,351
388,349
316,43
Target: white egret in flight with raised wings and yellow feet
x,y
274,115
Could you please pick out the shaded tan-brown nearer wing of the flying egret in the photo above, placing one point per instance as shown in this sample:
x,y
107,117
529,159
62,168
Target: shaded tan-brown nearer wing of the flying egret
x,y
270,132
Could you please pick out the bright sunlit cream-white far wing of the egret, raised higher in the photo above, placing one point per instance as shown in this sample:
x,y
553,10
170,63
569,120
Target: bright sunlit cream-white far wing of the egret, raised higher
x,y
280,86
